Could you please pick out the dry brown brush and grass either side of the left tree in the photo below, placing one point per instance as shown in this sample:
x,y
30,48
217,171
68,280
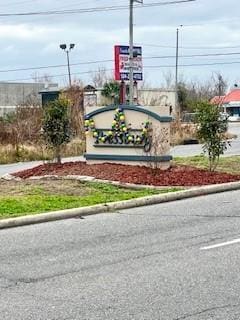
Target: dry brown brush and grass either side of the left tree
x,y
20,133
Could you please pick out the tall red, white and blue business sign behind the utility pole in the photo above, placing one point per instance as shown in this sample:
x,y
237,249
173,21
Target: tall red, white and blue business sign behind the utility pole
x,y
121,54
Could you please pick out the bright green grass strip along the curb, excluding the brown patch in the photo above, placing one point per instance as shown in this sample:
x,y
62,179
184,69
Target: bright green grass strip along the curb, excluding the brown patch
x,y
39,200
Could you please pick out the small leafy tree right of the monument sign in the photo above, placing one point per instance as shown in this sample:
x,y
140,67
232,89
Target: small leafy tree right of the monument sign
x,y
211,129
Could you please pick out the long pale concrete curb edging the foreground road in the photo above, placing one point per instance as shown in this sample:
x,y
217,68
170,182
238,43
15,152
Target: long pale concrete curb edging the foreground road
x,y
120,205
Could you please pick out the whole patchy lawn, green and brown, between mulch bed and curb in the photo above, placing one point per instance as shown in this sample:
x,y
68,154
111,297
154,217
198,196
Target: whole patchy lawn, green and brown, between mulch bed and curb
x,y
19,198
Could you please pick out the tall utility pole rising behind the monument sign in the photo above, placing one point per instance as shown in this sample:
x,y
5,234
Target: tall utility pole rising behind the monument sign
x,y
131,49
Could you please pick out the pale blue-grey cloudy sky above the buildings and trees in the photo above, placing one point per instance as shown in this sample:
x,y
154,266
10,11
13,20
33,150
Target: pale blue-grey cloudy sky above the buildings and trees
x,y
209,27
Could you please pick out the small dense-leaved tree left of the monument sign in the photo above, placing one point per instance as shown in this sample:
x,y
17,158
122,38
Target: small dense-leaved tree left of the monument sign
x,y
56,125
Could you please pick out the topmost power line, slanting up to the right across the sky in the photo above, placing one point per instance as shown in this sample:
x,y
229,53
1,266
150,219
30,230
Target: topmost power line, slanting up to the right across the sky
x,y
90,10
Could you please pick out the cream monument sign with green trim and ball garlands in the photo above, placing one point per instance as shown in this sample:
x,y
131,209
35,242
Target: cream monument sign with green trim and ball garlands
x,y
126,134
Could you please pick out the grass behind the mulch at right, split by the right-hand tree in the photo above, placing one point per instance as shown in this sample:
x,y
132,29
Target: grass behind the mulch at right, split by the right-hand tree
x,y
226,164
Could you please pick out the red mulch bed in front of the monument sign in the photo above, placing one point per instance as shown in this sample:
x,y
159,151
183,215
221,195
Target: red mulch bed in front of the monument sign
x,y
175,176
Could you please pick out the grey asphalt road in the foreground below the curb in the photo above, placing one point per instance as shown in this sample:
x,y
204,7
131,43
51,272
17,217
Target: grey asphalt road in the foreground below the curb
x,y
156,262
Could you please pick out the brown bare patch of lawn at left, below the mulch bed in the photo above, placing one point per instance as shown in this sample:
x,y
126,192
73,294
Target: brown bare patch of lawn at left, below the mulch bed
x,y
40,187
